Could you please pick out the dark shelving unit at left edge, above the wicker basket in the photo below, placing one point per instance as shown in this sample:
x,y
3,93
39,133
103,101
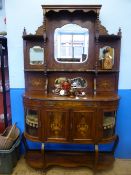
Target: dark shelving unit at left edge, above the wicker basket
x,y
5,112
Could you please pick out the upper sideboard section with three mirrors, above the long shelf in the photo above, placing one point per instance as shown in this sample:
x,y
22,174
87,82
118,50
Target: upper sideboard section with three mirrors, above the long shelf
x,y
72,39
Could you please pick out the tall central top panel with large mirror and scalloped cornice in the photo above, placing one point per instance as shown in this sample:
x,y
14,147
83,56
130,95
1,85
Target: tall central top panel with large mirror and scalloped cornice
x,y
70,32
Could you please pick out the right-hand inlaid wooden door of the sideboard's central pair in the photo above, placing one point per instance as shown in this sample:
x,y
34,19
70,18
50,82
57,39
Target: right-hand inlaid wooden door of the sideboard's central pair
x,y
83,128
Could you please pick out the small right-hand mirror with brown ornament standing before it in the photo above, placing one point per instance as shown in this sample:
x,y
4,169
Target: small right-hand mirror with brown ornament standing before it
x,y
107,57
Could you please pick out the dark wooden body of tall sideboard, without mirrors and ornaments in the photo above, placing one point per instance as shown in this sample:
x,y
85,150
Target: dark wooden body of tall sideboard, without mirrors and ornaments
x,y
67,119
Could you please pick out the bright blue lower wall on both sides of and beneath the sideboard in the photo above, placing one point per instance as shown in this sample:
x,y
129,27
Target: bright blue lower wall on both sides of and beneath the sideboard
x,y
123,127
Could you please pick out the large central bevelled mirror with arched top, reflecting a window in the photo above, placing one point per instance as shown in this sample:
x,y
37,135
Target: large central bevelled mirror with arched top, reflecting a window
x,y
71,43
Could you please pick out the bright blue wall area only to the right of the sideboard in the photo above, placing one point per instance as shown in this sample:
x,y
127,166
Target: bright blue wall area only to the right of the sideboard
x,y
123,127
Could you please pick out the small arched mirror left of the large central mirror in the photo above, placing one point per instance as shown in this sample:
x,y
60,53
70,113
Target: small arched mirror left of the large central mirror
x,y
36,55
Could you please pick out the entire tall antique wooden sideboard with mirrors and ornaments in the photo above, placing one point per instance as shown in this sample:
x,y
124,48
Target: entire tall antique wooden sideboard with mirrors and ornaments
x,y
71,70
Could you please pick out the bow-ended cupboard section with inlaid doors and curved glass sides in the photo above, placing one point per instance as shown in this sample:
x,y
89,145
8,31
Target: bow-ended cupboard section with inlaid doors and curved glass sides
x,y
69,122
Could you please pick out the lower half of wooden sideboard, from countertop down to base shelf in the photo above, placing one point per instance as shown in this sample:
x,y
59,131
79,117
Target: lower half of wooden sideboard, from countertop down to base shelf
x,y
74,122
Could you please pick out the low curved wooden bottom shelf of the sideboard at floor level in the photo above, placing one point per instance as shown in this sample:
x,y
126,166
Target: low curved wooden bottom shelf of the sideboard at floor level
x,y
43,160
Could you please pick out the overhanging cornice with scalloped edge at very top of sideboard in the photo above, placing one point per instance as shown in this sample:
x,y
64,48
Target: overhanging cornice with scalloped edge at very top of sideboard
x,y
71,8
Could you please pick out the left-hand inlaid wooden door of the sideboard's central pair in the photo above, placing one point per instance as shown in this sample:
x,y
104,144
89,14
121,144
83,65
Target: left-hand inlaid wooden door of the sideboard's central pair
x,y
57,125
